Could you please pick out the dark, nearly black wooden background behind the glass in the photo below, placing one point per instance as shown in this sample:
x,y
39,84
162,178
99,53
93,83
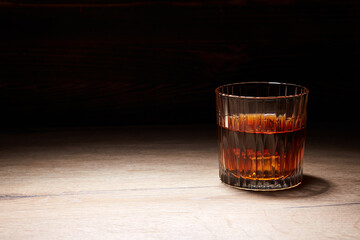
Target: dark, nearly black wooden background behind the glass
x,y
104,62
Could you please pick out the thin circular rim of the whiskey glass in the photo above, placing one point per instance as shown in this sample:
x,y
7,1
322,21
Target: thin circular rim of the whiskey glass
x,y
217,90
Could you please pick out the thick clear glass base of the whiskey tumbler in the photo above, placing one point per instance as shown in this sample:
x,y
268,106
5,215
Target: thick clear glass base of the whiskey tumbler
x,y
260,185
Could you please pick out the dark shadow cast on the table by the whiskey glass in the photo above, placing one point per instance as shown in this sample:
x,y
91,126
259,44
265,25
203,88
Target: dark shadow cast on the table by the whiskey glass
x,y
310,186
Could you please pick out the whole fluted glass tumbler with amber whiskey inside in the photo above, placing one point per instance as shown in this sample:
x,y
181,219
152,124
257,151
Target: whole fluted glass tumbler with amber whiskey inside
x,y
261,134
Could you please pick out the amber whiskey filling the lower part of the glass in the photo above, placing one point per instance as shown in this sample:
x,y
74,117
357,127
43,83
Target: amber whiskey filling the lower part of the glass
x,y
261,150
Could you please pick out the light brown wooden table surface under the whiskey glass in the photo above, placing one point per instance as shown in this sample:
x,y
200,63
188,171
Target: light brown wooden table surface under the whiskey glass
x,y
161,182
